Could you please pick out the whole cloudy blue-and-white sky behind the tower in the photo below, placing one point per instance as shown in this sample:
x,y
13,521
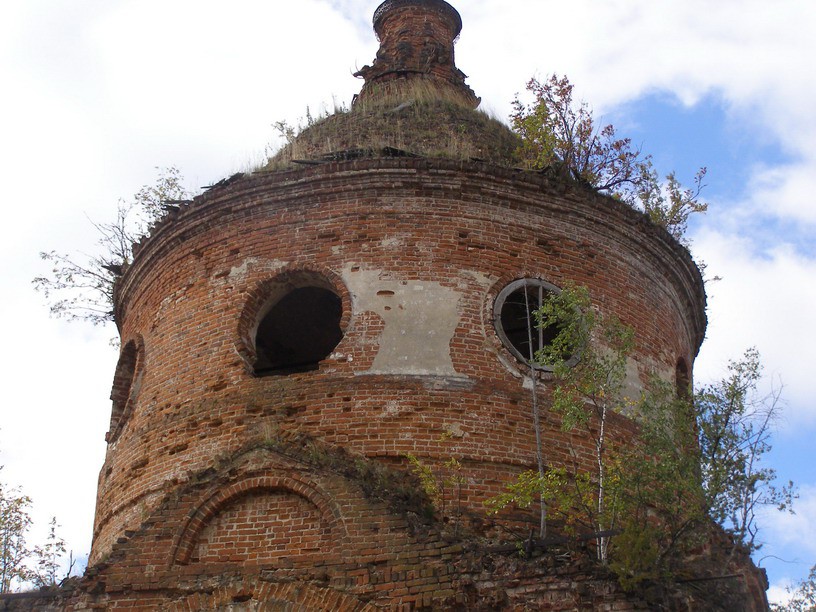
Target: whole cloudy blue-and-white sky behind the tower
x,y
97,93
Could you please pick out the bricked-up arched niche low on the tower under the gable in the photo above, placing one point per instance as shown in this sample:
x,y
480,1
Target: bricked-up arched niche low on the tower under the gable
x,y
259,520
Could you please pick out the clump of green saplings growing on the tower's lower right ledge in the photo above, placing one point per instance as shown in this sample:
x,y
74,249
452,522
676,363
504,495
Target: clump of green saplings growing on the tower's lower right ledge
x,y
652,508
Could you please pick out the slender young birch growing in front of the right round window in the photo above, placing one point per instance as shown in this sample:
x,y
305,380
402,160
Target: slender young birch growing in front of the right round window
x,y
585,392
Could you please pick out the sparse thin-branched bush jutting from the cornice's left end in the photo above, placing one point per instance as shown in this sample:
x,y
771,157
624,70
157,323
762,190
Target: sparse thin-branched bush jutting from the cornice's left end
x,y
80,286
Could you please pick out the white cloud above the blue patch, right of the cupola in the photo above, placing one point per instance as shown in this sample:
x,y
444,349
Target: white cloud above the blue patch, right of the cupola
x,y
753,51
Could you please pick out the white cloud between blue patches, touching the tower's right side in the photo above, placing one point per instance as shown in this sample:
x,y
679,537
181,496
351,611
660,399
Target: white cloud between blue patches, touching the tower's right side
x,y
764,299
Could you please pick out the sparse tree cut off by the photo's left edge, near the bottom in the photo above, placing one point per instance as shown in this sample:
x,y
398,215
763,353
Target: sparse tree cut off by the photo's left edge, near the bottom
x,y
14,524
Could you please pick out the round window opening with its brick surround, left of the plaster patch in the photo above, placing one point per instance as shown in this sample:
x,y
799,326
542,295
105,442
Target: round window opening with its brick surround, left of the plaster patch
x,y
292,322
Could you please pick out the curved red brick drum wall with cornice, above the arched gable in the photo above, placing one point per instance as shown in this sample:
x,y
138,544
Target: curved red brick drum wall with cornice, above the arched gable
x,y
464,227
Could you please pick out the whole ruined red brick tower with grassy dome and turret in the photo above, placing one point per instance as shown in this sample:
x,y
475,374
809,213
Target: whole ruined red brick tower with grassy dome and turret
x,y
290,336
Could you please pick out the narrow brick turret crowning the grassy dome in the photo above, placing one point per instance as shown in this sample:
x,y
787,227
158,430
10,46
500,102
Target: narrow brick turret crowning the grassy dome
x,y
416,54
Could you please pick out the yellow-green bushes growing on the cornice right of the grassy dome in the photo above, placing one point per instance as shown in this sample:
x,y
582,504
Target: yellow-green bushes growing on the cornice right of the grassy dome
x,y
558,132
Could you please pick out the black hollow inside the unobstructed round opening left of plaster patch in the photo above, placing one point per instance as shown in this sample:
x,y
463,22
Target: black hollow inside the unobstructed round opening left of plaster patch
x,y
300,330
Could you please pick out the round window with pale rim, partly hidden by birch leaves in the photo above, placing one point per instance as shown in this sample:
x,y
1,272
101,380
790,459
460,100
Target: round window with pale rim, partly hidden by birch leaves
x,y
515,321
